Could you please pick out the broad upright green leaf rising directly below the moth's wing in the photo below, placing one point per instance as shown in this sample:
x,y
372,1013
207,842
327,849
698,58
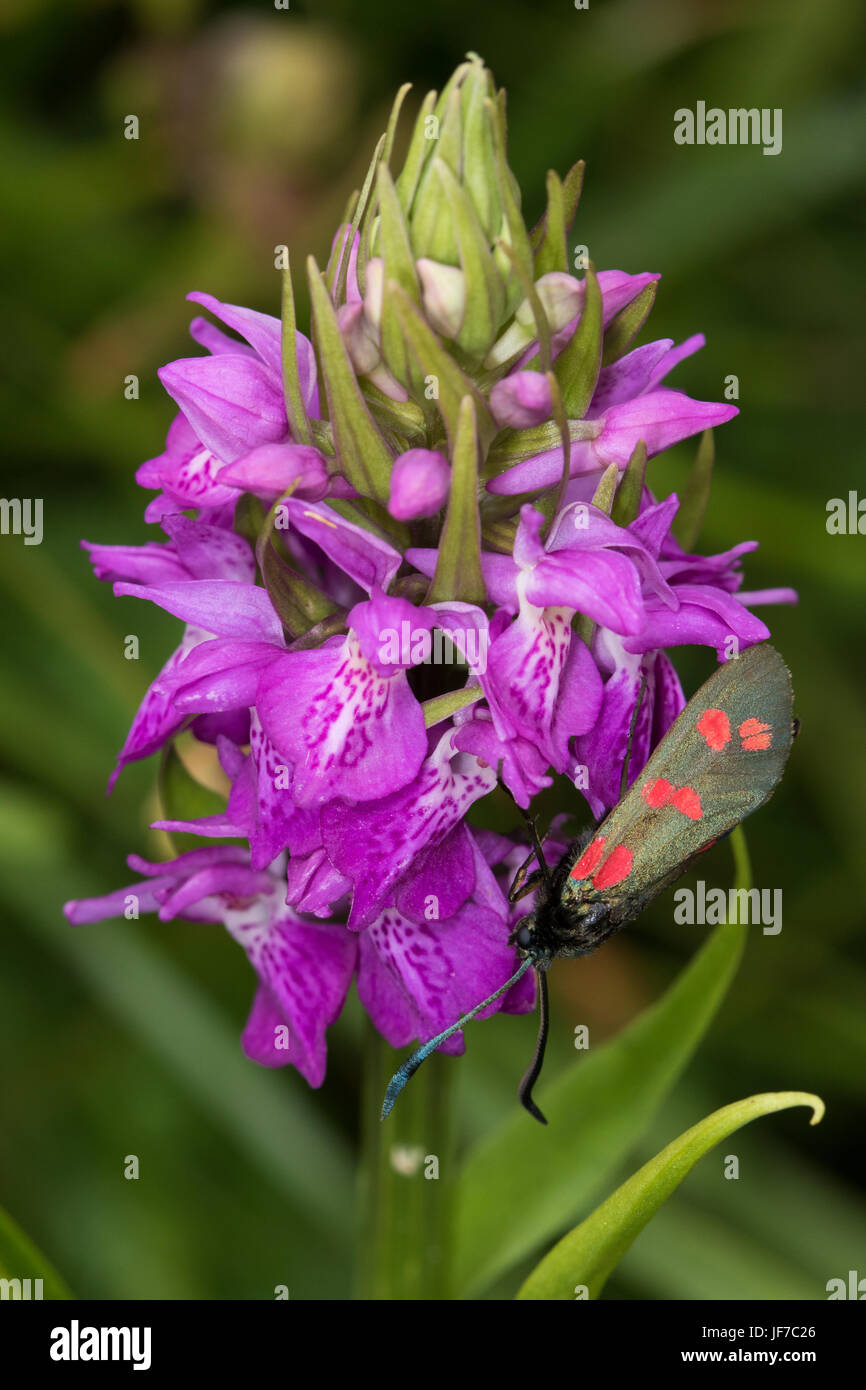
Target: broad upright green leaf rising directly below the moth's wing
x,y
523,1182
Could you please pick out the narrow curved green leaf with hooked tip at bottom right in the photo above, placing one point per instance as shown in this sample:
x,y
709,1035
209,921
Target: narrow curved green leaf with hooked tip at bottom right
x,y
590,1253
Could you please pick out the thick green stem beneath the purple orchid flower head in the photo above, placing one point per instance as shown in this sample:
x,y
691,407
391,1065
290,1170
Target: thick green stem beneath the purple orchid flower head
x,y
405,1209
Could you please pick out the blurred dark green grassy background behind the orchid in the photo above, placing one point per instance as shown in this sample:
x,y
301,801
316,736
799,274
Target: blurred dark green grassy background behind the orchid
x,y
255,127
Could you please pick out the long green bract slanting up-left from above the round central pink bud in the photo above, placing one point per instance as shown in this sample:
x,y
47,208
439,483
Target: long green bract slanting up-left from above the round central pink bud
x,y
363,455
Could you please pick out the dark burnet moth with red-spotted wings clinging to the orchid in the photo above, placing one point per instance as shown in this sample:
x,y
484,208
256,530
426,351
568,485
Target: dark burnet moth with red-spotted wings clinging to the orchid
x,y
722,760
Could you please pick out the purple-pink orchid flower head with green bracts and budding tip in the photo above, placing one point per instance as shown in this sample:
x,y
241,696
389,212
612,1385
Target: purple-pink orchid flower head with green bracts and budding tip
x,y
416,559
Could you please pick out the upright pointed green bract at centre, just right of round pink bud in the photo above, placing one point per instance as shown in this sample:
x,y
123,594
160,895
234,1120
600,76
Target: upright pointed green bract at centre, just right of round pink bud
x,y
459,561
